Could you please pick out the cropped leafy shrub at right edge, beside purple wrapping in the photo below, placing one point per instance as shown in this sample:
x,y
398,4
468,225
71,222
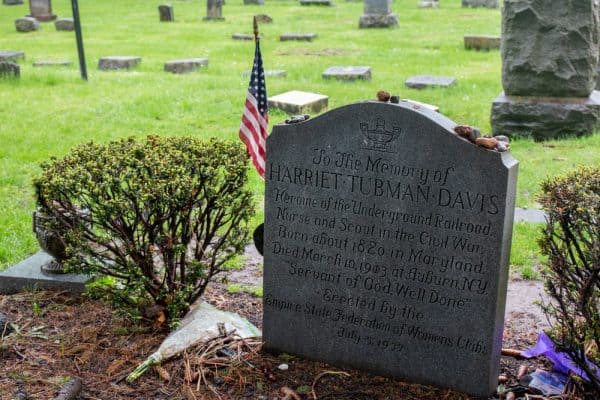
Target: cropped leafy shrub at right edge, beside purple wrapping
x,y
571,240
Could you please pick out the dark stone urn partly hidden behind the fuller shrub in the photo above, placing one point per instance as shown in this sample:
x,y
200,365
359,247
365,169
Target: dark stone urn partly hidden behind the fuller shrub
x,y
51,240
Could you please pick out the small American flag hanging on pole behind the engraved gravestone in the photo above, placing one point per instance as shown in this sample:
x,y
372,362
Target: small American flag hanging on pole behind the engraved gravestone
x,y
255,119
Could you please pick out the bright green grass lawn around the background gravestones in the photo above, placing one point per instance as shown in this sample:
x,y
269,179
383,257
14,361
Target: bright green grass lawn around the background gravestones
x,y
48,111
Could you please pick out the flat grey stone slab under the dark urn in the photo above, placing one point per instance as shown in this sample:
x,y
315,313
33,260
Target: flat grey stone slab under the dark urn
x,y
28,274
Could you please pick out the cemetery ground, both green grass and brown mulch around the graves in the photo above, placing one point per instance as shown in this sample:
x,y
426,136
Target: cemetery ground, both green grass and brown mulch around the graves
x,y
49,110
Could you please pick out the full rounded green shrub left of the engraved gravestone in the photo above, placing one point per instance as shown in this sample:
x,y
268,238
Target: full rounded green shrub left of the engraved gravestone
x,y
162,215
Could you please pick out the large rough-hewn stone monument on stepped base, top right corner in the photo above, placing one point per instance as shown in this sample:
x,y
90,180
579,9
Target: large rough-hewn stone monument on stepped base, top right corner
x,y
549,59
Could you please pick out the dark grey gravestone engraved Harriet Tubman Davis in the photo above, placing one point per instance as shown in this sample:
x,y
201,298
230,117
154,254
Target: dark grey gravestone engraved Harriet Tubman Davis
x,y
387,240
